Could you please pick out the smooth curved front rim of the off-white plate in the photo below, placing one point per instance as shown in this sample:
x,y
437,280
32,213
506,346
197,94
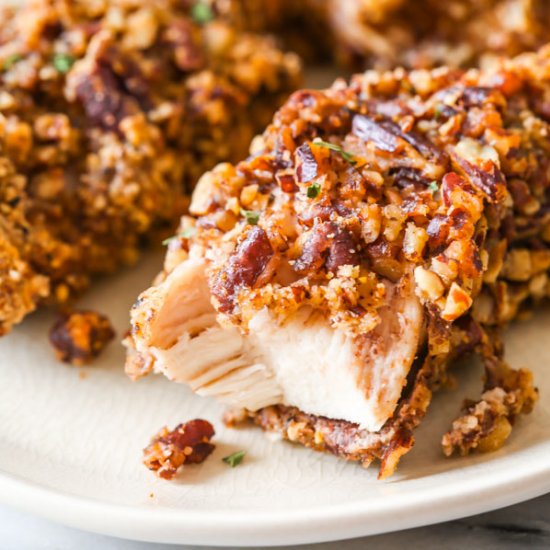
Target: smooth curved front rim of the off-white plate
x,y
480,493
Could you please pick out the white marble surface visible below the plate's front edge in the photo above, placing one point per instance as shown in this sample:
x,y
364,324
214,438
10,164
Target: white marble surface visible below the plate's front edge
x,y
525,525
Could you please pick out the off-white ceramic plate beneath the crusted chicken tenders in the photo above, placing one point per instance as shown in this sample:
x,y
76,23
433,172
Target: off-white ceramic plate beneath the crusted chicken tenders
x,y
70,450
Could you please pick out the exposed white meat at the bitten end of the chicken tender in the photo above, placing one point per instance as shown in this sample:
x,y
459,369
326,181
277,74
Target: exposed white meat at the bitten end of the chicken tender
x,y
300,361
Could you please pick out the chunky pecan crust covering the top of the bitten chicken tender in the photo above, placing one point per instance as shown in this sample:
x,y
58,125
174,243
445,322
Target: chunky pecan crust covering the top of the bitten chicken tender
x,y
410,175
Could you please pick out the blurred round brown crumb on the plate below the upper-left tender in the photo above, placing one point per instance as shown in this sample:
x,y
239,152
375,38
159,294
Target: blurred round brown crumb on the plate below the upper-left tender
x,y
80,336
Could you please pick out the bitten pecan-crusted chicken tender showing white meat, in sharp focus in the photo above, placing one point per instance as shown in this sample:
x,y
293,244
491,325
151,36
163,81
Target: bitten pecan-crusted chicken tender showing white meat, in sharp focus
x,y
378,230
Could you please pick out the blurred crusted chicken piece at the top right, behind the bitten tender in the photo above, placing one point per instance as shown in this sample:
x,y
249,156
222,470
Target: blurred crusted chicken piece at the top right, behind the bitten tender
x,y
414,34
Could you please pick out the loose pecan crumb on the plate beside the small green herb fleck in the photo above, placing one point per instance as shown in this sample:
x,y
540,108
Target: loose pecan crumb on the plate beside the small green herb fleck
x,y
187,443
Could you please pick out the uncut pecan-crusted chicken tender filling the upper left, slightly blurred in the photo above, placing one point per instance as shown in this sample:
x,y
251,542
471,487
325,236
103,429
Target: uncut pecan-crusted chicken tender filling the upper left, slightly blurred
x,y
109,112
